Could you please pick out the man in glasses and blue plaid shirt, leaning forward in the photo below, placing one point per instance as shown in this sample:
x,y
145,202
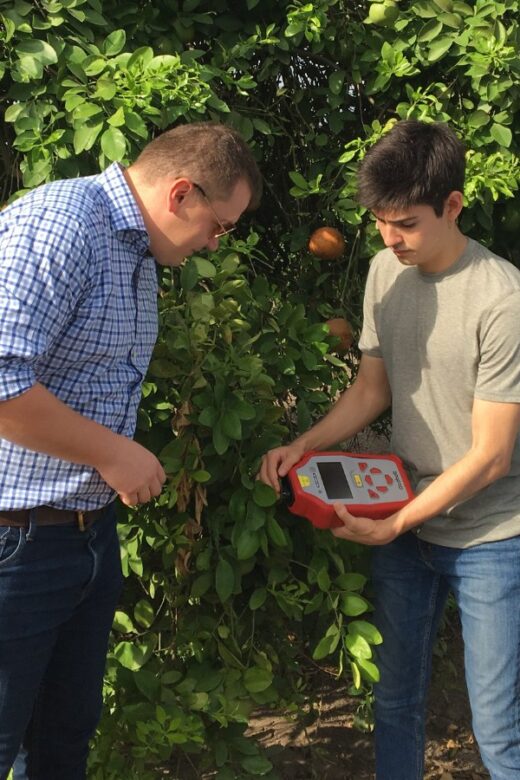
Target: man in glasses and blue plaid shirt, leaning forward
x,y
78,321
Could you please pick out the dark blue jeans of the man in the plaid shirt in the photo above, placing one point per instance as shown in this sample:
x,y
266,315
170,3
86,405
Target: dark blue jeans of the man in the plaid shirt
x,y
58,592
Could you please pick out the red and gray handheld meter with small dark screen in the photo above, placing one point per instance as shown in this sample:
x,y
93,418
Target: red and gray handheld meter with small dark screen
x,y
373,486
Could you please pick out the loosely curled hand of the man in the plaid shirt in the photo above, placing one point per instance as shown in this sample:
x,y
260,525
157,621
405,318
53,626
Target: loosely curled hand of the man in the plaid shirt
x,y
132,471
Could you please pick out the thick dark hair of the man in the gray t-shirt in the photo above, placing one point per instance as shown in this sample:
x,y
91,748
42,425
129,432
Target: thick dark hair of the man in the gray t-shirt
x,y
415,163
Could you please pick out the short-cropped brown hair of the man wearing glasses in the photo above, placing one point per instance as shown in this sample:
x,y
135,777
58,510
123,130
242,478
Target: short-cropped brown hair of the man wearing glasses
x,y
211,154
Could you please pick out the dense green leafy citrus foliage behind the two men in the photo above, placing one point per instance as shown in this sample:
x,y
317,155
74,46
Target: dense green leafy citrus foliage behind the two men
x,y
229,599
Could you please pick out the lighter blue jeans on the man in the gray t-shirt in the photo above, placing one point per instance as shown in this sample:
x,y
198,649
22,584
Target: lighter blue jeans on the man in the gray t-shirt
x,y
412,580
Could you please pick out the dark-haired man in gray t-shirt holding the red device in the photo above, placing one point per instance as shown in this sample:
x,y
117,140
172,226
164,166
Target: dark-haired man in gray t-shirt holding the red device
x,y
441,348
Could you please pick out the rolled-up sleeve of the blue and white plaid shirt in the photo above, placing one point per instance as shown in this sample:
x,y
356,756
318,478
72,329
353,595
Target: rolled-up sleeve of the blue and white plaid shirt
x,y
41,271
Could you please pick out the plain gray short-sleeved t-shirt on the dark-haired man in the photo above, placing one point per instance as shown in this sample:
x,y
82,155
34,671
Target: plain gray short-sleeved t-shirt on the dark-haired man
x,y
447,339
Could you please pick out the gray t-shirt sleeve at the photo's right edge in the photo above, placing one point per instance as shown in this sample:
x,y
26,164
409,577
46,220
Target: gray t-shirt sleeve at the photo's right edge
x,y
498,376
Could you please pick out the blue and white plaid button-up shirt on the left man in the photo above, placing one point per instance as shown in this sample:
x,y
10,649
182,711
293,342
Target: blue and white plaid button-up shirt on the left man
x,y
78,313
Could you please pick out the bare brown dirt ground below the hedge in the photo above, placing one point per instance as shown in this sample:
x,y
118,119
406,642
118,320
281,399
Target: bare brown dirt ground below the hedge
x,y
331,748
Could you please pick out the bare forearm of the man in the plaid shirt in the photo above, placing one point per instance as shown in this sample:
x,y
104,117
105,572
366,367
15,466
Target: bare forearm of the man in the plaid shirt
x,y
39,421
